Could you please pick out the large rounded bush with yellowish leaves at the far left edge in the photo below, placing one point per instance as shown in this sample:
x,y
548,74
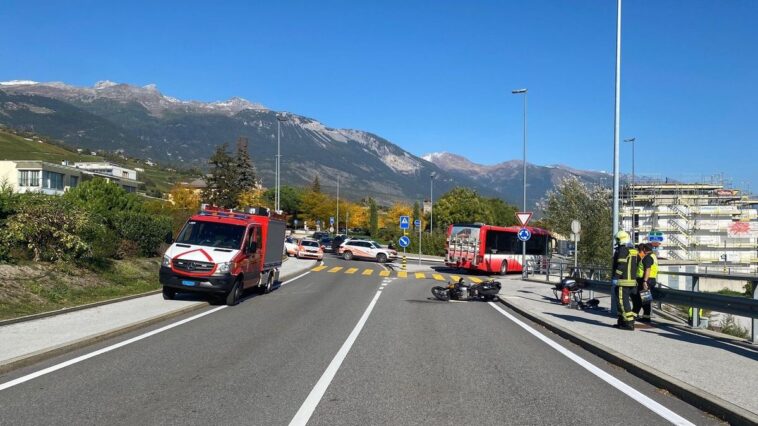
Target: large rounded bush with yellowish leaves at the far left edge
x,y
51,227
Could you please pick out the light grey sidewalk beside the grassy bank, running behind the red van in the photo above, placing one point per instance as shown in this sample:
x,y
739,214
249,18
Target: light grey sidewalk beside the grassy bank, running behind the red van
x,y
30,341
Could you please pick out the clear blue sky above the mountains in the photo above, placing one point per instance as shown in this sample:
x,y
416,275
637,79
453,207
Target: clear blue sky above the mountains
x,y
436,76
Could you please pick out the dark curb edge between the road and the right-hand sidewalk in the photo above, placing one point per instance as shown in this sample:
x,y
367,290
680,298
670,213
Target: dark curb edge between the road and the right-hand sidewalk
x,y
697,397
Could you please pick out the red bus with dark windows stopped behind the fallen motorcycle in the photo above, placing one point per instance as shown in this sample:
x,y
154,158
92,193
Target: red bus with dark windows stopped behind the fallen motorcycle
x,y
489,248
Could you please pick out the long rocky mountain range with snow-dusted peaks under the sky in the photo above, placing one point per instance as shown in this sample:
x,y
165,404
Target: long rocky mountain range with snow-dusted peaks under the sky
x,y
142,122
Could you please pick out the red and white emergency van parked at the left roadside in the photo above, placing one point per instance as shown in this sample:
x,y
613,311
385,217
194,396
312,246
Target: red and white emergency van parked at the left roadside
x,y
223,252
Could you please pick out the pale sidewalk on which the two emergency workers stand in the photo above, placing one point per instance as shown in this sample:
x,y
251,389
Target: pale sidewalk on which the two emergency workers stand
x,y
719,367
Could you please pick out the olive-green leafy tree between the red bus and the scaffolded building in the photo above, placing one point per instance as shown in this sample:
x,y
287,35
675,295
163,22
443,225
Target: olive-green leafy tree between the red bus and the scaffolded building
x,y
590,205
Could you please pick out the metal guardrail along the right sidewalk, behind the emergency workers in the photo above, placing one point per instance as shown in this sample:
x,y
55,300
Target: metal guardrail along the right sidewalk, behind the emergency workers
x,y
733,305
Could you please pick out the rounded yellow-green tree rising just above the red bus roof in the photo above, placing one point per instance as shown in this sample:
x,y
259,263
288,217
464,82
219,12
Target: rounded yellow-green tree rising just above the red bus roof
x,y
461,205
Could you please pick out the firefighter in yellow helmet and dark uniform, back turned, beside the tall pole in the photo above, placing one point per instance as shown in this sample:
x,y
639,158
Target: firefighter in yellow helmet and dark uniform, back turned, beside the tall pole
x,y
624,271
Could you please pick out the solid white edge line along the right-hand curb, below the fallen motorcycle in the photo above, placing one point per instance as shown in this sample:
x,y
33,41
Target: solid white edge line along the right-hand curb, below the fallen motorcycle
x,y
616,383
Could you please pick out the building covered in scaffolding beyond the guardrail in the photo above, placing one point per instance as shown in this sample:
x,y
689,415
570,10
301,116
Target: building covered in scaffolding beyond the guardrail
x,y
700,223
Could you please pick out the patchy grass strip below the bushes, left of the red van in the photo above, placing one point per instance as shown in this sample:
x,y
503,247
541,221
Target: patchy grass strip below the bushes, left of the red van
x,y
53,287
